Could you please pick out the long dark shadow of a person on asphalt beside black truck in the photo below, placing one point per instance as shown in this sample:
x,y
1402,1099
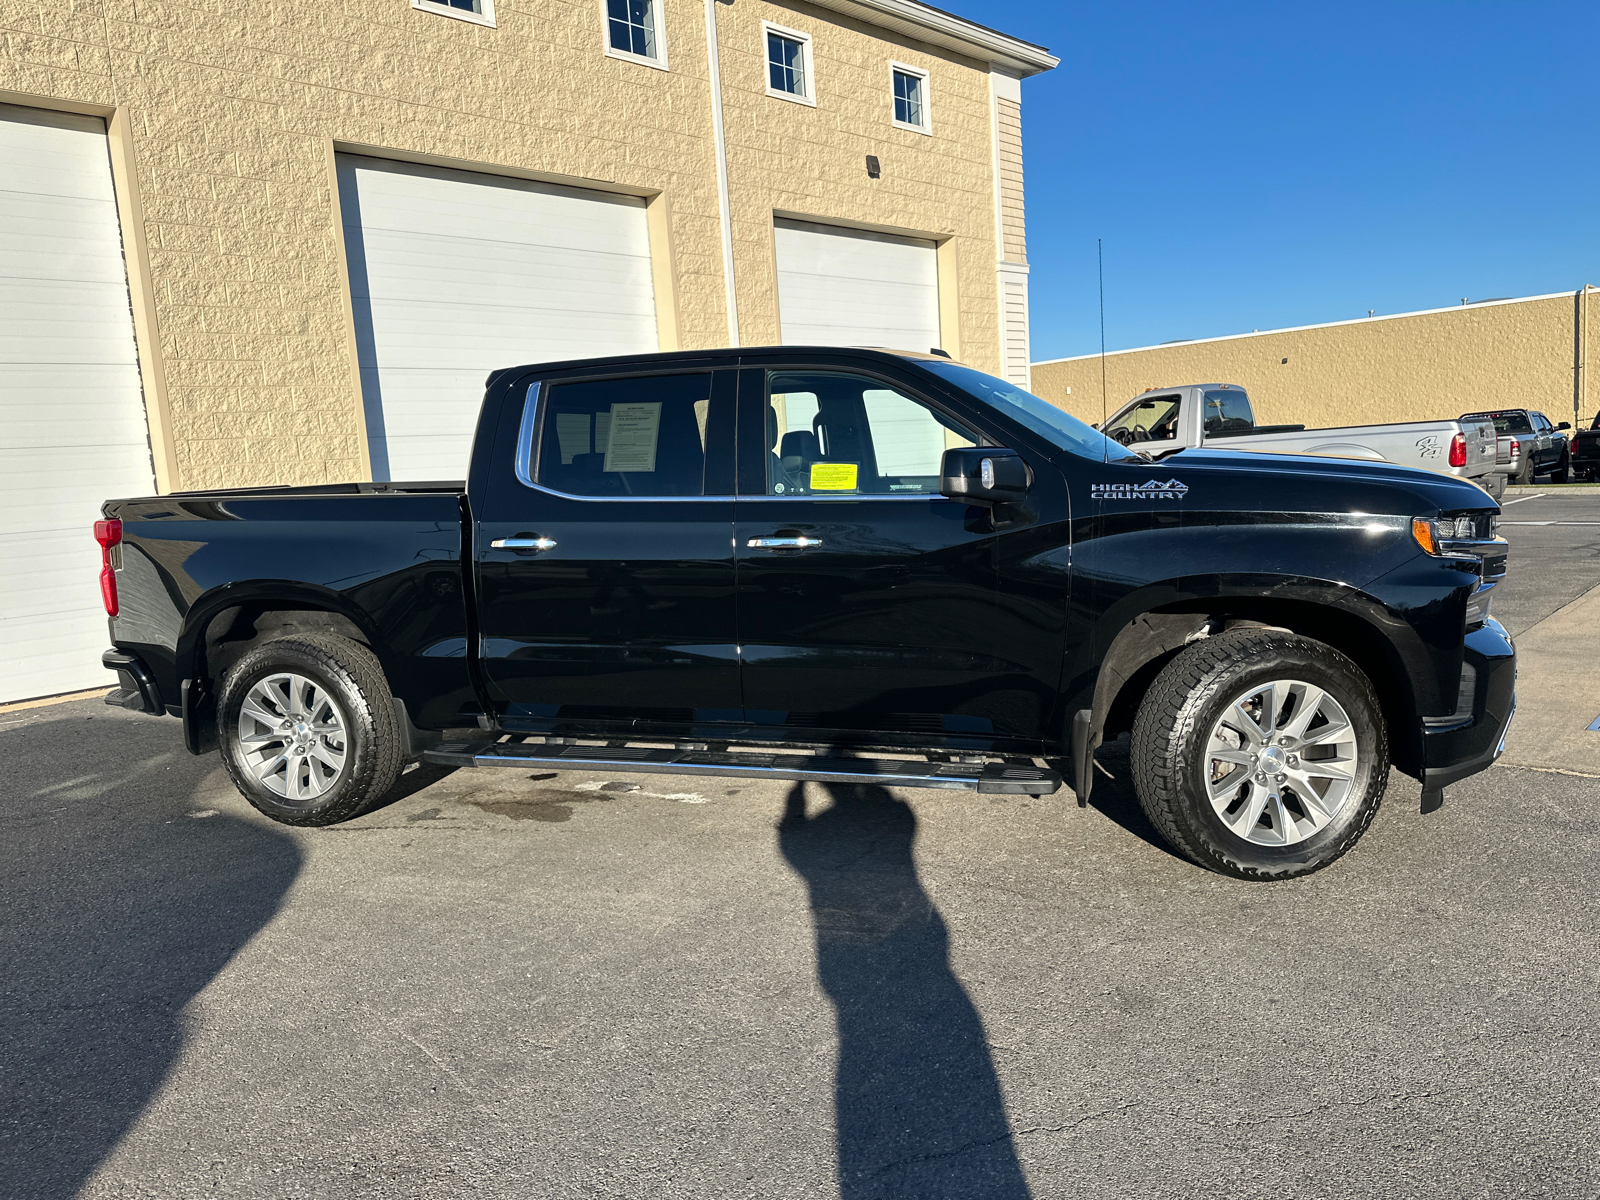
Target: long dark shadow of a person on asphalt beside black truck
x,y
918,1102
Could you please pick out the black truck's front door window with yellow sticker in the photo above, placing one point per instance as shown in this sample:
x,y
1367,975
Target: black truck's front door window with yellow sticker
x,y
831,434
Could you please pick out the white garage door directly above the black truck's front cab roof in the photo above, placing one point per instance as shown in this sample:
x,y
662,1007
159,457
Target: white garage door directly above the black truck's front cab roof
x,y
846,287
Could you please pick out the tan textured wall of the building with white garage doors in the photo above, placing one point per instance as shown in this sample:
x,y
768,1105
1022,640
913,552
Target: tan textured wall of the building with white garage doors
x,y
230,116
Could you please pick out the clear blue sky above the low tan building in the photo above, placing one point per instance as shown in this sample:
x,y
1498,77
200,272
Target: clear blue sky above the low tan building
x,y
1257,166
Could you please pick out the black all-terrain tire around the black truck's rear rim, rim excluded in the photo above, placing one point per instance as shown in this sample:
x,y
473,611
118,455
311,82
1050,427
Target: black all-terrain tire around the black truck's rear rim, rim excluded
x,y
351,678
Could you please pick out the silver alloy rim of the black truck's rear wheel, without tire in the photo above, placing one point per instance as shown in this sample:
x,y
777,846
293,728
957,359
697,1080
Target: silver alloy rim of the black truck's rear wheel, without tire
x,y
292,737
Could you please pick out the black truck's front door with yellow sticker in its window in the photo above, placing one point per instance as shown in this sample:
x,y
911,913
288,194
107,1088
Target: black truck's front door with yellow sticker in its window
x,y
870,602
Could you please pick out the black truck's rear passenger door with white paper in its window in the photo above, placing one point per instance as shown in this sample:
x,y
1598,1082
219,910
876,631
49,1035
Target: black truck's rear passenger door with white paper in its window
x,y
606,558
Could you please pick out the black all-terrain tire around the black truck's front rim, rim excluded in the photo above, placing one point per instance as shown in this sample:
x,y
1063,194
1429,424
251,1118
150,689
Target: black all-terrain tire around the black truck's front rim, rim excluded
x,y
1170,750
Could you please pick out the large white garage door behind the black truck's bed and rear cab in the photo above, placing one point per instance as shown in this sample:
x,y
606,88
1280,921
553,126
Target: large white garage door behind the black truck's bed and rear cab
x,y
457,274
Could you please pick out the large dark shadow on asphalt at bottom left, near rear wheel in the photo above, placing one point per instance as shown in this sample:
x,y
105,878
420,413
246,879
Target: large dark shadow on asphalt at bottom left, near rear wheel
x,y
124,900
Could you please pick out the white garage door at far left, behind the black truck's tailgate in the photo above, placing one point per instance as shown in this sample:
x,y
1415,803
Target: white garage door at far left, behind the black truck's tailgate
x,y
73,428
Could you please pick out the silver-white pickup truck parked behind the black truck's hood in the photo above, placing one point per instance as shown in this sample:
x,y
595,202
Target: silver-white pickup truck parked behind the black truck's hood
x,y
1220,415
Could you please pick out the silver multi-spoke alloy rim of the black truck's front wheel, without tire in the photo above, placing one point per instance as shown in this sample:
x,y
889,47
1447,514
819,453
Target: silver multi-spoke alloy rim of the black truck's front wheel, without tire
x,y
1281,762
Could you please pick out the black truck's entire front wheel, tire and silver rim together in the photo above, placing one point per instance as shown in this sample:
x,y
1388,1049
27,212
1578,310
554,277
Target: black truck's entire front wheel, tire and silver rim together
x,y
1262,754
